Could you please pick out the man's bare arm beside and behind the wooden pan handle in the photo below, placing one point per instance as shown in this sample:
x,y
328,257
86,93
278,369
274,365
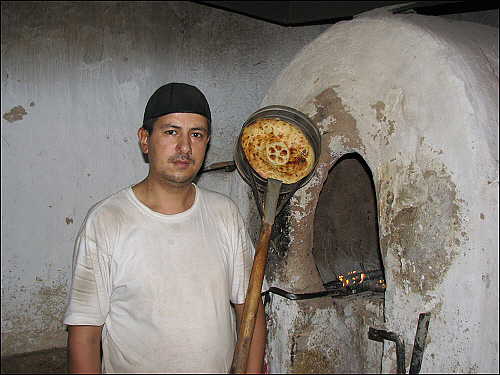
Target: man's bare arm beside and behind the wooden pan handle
x,y
256,354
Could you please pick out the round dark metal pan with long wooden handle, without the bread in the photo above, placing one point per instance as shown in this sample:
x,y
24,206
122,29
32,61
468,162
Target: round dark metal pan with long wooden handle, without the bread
x,y
272,188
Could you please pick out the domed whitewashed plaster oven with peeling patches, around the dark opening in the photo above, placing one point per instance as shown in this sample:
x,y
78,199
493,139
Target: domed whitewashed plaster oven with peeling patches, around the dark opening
x,y
417,98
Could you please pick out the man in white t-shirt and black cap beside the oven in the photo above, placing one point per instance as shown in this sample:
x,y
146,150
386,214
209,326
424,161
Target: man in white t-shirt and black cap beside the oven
x,y
158,265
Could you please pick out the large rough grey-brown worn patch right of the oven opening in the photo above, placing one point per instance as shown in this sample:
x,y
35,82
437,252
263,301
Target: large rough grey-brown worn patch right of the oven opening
x,y
426,233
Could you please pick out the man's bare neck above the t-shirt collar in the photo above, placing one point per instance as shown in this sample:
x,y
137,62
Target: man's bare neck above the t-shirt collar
x,y
165,198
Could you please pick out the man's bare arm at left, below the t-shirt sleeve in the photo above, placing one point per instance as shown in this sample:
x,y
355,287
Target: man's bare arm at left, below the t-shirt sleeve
x,y
84,349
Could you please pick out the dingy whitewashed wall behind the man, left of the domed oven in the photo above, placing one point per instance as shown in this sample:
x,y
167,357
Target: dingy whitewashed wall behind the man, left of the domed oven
x,y
75,79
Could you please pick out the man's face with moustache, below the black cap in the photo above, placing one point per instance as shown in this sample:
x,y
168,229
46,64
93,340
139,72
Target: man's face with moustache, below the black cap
x,y
176,148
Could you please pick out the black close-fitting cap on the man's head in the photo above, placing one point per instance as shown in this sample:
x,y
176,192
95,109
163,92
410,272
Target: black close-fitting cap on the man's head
x,y
177,98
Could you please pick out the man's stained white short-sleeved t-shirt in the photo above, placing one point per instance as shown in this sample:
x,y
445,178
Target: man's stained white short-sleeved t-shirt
x,y
161,284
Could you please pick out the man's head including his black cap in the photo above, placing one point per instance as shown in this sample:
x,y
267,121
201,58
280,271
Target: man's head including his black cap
x,y
176,149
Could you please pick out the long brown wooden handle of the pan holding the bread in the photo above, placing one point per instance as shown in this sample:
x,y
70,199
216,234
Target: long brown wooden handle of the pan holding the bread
x,y
247,325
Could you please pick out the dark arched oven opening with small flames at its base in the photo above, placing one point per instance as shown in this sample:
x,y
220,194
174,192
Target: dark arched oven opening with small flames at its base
x,y
346,247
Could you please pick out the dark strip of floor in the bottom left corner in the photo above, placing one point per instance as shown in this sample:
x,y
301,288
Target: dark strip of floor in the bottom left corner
x,y
50,361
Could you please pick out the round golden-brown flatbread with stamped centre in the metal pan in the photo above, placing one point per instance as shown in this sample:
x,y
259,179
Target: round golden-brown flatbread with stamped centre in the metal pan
x,y
276,149
